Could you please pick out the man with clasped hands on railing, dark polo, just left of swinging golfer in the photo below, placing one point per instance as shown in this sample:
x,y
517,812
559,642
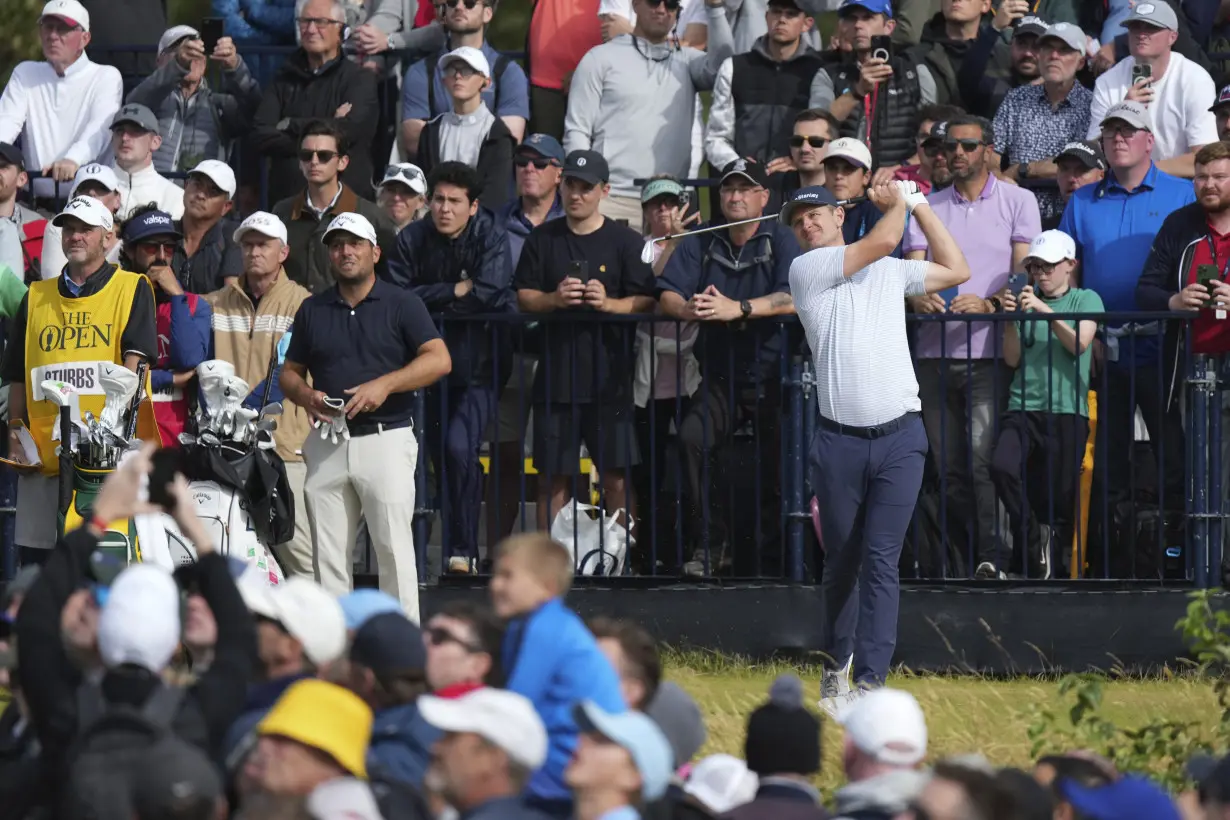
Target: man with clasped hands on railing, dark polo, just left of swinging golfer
x,y
724,280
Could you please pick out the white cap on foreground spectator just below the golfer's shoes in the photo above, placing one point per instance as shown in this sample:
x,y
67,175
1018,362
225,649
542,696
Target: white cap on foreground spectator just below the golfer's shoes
x,y
889,726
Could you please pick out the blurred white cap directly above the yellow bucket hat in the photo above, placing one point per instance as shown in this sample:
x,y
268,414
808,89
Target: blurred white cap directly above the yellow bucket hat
x,y
309,615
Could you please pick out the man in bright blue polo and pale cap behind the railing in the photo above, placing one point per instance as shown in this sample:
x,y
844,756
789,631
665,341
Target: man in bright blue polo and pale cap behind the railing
x,y
1115,223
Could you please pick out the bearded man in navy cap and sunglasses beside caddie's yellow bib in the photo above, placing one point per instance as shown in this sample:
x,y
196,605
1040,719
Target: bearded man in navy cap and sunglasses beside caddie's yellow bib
x,y
151,239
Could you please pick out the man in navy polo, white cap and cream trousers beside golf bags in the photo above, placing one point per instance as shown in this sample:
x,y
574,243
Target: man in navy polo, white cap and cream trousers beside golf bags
x,y
367,345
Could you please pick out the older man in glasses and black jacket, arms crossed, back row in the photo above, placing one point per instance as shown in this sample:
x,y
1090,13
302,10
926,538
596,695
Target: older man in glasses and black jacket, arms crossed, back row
x,y
318,82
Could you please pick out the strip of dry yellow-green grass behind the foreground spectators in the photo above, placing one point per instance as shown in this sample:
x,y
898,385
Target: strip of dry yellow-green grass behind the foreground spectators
x,y
965,714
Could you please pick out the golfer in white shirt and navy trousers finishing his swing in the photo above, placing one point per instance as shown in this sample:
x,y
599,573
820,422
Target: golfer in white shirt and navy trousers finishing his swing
x,y
867,462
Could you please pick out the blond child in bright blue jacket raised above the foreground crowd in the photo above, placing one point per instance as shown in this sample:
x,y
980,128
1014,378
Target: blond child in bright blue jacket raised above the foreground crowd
x,y
549,656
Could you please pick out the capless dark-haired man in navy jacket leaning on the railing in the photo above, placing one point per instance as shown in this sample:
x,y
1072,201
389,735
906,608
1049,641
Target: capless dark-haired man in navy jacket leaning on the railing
x,y
458,264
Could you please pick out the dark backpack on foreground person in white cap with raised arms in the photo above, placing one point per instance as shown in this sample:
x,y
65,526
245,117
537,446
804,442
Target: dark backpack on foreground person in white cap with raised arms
x,y
113,743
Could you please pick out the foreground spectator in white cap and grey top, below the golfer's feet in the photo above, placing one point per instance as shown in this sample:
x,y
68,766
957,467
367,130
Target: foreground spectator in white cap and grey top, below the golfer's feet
x,y
885,744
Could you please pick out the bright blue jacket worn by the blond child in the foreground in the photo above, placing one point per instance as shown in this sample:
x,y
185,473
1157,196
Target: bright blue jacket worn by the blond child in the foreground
x,y
553,660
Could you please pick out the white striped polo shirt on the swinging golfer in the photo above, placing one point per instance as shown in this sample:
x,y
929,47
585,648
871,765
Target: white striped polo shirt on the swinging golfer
x,y
857,330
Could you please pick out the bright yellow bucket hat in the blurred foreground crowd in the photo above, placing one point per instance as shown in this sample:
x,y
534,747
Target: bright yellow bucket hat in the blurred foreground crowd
x,y
324,717
